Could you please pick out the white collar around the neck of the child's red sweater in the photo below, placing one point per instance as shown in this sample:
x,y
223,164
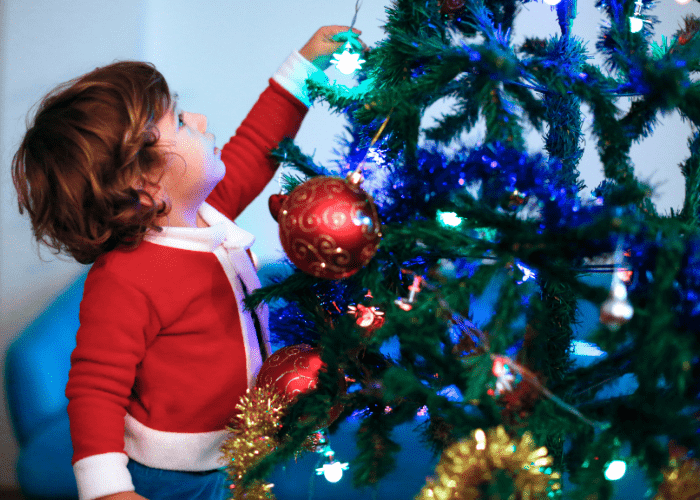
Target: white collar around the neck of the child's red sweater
x,y
221,231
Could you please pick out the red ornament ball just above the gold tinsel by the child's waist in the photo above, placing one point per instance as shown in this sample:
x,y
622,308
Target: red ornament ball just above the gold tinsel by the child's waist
x,y
293,370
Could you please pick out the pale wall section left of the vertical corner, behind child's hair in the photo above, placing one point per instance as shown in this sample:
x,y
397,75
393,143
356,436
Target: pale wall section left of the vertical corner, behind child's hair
x,y
43,43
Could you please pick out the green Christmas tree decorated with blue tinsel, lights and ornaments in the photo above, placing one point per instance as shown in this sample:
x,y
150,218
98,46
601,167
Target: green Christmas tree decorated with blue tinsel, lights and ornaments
x,y
390,307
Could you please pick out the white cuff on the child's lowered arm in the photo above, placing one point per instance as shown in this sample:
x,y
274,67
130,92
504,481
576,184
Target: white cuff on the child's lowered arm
x,y
100,475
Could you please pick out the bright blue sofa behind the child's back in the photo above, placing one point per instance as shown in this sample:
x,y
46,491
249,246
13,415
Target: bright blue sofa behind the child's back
x,y
36,373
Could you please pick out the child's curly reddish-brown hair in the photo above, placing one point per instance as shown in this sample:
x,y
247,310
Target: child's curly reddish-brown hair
x,y
88,151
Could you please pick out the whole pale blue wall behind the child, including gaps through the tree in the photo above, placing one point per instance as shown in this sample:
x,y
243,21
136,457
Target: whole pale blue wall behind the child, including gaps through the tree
x,y
217,55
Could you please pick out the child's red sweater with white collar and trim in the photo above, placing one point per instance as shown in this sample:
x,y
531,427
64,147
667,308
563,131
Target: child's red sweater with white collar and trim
x,y
165,349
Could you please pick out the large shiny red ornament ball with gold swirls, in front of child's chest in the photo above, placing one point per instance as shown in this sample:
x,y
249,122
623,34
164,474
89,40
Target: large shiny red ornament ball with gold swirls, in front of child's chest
x,y
329,227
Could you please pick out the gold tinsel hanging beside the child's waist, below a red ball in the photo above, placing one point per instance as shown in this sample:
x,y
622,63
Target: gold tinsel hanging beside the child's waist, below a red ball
x,y
253,436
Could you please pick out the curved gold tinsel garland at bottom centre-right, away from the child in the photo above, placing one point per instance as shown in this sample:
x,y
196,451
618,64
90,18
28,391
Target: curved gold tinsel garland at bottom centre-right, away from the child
x,y
468,464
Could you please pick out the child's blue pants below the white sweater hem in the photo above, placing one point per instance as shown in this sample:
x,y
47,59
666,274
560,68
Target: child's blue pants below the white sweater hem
x,y
158,484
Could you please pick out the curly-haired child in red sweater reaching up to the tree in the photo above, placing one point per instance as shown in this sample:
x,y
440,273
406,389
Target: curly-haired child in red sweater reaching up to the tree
x,y
112,172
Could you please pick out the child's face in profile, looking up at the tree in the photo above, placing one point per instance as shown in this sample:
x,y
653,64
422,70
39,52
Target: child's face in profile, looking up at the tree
x,y
193,163
